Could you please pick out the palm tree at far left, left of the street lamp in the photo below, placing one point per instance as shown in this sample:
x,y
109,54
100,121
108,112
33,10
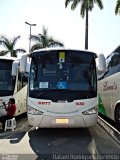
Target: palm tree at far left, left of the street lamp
x,y
9,45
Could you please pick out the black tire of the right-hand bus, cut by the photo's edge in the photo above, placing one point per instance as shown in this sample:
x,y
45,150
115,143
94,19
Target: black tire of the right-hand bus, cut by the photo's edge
x,y
117,117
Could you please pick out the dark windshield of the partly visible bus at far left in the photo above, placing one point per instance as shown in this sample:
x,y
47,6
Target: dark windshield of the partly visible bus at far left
x,y
6,80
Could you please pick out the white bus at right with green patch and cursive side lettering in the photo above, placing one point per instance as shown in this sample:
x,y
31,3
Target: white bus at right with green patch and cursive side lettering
x,y
109,88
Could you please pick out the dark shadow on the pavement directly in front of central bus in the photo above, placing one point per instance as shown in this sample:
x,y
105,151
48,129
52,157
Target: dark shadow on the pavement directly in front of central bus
x,y
50,143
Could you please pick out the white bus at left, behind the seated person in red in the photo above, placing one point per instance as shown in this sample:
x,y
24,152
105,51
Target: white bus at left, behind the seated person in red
x,y
12,85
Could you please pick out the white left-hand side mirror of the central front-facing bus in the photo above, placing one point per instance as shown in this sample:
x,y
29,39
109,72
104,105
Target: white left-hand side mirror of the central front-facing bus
x,y
23,63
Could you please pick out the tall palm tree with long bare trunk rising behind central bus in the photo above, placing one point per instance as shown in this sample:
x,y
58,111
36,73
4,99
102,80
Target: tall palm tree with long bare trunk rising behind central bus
x,y
86,6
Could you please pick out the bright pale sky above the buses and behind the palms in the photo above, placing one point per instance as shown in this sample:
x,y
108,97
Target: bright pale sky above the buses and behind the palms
x,y
62,23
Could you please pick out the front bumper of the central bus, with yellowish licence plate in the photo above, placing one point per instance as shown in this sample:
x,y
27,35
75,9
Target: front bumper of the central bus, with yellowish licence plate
x,y
78,121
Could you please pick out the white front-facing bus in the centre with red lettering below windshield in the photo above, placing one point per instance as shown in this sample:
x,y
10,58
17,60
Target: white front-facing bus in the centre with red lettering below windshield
x,y
62,88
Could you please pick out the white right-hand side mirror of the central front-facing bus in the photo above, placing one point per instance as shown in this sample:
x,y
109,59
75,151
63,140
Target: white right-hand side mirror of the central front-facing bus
x,y
102,64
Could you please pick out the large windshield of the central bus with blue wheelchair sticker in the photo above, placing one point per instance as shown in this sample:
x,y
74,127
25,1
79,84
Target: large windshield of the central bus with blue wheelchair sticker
x,y
74,74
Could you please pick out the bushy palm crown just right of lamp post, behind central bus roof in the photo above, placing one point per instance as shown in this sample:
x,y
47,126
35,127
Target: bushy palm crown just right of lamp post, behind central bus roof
x,y
44,40
